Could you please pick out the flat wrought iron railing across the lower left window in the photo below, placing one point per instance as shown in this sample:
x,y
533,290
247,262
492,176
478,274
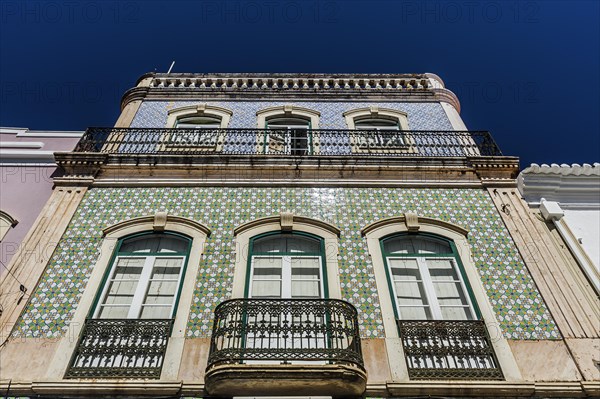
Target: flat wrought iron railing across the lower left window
x,y
120,348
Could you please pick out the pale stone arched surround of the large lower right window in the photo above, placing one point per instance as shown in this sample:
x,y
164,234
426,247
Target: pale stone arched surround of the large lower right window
x,y
409,222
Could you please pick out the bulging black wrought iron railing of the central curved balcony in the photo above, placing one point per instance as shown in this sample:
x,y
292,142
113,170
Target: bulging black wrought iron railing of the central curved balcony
x,y
285,331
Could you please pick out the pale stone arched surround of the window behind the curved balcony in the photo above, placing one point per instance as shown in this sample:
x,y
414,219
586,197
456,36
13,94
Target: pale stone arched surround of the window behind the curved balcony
x,y
286,222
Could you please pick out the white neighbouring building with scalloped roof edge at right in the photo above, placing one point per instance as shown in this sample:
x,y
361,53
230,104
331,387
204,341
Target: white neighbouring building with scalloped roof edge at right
x,y
568,196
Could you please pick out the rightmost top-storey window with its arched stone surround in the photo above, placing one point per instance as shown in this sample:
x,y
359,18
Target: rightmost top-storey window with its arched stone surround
x,y
379,129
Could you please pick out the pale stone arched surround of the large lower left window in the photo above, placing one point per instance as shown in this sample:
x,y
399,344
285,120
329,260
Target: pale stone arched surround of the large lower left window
x,y
160,222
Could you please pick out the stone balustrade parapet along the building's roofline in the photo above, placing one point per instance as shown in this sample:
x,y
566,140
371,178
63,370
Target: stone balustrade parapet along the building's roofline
x,y
404,85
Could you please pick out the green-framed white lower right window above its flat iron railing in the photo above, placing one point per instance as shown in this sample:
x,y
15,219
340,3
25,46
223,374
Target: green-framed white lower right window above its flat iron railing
x,y
427,279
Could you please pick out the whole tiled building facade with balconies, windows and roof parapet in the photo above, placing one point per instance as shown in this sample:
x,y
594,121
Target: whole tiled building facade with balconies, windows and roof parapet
x,y
287,235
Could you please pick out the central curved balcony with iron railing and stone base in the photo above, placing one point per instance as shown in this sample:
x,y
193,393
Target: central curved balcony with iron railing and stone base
x,y
277,346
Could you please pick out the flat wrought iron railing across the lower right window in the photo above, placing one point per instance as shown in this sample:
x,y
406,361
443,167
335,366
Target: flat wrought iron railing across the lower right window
x,y
453,350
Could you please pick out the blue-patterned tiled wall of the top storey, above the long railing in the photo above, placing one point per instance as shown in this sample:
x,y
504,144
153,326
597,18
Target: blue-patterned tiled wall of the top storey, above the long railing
x,y
421,116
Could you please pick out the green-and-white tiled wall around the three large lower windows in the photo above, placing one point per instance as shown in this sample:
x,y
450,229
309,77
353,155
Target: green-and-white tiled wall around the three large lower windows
x,y
519,308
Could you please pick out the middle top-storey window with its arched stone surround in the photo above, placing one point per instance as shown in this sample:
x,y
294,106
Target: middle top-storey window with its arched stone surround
x,y
288,129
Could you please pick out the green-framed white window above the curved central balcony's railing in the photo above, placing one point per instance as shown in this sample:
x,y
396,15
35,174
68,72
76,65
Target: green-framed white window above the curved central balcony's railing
x,y
286,265
